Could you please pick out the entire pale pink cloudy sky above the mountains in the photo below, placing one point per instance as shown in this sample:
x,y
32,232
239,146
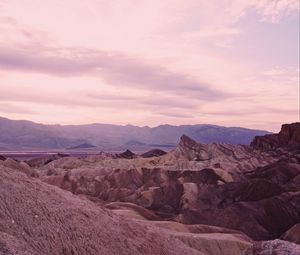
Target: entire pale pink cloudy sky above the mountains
x,y
150,62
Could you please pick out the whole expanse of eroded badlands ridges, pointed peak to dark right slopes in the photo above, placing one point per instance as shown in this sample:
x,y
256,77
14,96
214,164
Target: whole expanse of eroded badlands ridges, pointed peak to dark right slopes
x,y
225,185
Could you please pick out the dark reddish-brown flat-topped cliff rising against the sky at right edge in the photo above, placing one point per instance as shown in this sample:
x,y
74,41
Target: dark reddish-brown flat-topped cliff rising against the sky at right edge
x,y
288,136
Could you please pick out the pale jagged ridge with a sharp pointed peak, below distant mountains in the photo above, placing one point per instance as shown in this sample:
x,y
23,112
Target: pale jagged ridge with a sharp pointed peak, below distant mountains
x,y
227,158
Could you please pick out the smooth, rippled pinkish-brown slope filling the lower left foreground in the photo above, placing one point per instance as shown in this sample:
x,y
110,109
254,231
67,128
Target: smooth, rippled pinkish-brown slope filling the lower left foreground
x,y
36,217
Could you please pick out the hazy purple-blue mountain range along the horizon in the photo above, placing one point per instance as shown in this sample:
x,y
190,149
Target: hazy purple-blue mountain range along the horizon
x,y
27,135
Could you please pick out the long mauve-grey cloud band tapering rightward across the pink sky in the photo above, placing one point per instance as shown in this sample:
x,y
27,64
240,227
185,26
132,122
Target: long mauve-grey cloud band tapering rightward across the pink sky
x,y
115,68
